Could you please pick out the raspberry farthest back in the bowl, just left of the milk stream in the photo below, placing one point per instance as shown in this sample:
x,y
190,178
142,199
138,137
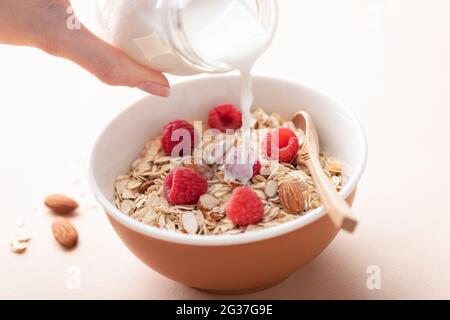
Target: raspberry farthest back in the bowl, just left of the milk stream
x,y
225,116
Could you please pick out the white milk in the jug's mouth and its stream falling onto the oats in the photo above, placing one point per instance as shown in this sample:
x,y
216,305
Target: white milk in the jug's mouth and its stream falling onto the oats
x,y
227,31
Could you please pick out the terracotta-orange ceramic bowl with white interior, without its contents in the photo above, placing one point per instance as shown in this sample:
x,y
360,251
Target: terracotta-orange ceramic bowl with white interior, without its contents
x,y
226,263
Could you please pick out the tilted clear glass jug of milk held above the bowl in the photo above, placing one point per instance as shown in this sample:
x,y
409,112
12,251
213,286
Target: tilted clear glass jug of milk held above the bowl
x,y
187,37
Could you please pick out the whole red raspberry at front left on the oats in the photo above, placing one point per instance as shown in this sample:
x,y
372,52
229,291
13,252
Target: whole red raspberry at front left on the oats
x,y
184,186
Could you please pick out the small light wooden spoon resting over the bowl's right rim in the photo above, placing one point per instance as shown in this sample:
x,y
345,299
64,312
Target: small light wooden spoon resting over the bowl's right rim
x,y
337,208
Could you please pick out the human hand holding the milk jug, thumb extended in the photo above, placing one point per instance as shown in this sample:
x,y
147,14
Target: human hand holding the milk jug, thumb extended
x,y
43,24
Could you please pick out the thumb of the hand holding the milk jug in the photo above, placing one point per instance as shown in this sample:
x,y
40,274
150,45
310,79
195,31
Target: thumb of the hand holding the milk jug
x,y
109,64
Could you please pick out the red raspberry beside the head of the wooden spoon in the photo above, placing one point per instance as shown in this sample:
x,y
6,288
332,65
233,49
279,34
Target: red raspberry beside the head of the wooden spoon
x,y
281,144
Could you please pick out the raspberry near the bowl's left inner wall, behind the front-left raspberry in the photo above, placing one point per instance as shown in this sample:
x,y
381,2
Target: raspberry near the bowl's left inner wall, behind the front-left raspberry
x,y
175,133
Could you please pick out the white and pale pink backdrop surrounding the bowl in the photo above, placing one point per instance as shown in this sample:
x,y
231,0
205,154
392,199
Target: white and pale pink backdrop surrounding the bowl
x,y
387,60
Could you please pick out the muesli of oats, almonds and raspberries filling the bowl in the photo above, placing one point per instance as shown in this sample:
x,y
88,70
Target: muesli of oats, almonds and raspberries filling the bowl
x,y
196,191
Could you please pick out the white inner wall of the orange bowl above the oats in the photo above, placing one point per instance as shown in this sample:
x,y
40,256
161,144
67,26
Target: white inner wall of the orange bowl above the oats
x,y
121,142
